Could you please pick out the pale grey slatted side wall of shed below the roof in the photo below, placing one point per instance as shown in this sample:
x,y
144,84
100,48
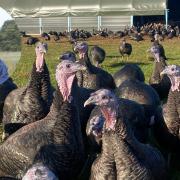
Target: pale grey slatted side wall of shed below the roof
x,y
39,25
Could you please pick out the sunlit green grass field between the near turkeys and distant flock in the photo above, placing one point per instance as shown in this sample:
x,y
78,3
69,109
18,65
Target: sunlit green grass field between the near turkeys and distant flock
x,y
112,63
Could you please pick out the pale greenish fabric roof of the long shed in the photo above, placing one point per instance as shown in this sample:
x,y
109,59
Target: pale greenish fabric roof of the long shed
x,y
57,8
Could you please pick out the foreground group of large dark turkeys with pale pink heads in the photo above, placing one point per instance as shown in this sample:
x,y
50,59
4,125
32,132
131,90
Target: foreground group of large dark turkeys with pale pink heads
x,y
93,125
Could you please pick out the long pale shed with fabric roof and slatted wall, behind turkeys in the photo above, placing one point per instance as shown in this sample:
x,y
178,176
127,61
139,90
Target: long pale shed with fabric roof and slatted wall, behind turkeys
x,y
35,17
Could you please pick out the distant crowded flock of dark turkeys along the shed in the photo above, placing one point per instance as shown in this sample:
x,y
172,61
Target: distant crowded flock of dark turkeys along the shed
x,y
155,31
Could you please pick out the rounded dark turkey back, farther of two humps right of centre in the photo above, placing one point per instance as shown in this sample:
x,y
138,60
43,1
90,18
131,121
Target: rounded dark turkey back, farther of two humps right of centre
x,y
128,71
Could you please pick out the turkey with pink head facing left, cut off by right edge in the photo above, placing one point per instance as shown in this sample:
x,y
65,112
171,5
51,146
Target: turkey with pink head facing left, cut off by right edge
x,y
172,109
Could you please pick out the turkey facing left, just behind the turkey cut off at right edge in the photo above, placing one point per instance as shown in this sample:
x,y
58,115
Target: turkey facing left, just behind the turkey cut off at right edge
x,y
160,84
